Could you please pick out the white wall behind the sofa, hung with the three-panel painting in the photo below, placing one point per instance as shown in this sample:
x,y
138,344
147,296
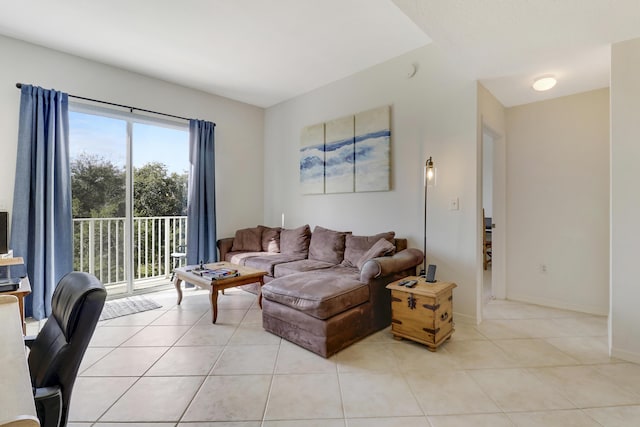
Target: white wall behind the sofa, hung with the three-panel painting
x,y
433,114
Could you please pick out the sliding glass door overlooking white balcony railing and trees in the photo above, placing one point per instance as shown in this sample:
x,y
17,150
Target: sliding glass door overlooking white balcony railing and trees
x,y
129,178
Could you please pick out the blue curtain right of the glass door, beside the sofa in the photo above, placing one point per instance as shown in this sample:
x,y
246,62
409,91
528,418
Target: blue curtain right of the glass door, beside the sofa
x,y
201,205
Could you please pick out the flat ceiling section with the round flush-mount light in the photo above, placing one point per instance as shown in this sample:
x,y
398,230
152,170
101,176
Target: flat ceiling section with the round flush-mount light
x,y
506,44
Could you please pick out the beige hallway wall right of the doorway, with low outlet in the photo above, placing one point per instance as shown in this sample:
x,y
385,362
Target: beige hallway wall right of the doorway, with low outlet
x,y
558,202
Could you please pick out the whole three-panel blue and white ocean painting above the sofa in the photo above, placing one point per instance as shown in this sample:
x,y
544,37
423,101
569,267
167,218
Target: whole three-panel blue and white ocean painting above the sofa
x,y
348,154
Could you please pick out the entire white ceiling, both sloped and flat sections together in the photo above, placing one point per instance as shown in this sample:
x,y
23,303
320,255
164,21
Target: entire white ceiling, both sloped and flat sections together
x,y
266,51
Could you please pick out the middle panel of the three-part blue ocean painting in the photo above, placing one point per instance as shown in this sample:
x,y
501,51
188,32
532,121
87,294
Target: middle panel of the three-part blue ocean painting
x,y
339,155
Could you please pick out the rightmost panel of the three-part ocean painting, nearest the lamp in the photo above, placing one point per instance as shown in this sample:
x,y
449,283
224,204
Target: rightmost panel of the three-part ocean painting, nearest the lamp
x,y
372,150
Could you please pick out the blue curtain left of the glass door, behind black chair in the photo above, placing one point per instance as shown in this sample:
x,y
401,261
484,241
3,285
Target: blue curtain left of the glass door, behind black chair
x,y
41,223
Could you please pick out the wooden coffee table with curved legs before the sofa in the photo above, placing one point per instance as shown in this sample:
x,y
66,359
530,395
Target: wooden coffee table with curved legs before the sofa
x,y
247,275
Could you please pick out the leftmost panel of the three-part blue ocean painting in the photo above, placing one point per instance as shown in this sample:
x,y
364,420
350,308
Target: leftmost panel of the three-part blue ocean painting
x,y
312,159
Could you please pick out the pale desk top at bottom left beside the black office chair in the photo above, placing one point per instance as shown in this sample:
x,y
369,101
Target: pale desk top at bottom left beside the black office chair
x,y
17,408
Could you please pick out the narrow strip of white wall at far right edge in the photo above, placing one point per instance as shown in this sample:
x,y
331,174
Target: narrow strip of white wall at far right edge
x,y
625,202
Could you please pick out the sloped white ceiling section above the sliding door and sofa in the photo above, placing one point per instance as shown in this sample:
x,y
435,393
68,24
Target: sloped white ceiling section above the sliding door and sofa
x,y
257,51
